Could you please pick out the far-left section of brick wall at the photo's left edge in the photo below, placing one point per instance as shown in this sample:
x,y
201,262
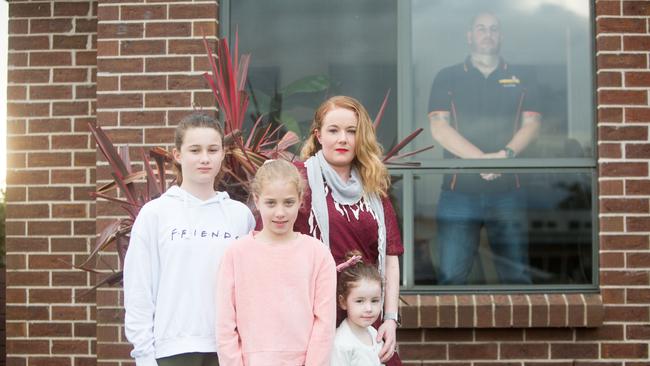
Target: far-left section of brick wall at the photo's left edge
x,y
50,216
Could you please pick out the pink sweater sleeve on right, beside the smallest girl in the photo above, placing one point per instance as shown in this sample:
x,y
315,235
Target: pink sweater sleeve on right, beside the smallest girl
x,y
322,335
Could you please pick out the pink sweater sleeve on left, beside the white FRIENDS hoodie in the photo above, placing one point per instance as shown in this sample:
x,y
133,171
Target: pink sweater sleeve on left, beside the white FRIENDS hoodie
x,y
228,343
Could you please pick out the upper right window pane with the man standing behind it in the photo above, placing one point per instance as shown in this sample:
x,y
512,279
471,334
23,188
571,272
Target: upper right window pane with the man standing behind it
x,y
489,64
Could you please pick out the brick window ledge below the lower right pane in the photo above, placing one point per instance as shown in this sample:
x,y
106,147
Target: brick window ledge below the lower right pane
x,y
502,311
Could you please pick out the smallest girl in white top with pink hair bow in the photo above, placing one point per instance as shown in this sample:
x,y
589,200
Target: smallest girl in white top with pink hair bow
x,y
359,294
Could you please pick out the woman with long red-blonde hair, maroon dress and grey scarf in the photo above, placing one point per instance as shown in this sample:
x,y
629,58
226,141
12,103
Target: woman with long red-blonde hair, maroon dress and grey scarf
x,y
346,204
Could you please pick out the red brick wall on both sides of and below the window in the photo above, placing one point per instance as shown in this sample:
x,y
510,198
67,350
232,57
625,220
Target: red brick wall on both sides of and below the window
x,y
148,65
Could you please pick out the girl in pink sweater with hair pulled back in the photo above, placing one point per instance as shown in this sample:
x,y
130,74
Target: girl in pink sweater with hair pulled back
x,y
277,288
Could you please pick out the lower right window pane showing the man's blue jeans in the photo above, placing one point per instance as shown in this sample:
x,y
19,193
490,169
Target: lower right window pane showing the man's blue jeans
x,y
537,231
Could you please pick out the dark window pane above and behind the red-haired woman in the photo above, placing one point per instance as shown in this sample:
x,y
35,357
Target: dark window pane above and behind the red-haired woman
x,y
305,51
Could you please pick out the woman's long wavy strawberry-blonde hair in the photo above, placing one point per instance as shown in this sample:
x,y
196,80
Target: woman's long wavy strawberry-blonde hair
x,y
374,175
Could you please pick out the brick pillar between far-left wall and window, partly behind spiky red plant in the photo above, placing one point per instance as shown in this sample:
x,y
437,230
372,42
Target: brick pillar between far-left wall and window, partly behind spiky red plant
x,y
150,59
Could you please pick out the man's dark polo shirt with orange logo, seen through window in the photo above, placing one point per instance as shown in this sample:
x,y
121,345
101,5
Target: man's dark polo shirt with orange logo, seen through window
x,y
486,111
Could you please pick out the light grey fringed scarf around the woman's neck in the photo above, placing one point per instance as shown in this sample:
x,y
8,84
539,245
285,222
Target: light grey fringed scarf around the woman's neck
x,y
346,193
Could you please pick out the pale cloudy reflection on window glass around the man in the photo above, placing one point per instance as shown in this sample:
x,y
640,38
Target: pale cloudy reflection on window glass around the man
x,y
548,41
